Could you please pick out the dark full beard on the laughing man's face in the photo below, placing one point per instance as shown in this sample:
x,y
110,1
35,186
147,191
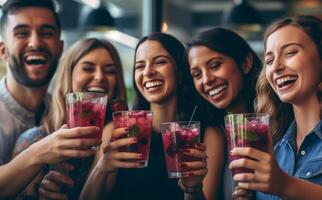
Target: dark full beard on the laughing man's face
x,y
19,73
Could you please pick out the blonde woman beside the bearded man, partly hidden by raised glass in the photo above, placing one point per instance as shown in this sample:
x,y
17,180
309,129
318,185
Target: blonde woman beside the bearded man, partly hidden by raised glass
x,y
90,65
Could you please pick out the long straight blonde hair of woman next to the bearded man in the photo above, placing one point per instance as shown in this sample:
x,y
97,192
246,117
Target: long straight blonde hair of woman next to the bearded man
x,y
63,82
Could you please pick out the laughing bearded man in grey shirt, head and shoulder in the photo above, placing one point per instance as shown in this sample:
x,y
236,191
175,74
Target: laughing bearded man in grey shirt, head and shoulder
x,y
31,47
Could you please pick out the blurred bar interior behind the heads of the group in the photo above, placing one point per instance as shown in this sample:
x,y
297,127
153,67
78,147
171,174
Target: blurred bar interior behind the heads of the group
x,y
125,21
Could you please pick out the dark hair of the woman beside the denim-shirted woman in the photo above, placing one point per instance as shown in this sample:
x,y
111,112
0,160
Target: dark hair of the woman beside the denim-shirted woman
x,y
232,45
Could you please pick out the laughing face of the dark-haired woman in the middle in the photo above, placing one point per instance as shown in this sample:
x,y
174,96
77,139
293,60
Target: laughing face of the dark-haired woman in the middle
x,y
155,75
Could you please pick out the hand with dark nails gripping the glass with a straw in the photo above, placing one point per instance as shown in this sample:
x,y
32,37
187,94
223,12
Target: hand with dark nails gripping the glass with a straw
x,y
195,170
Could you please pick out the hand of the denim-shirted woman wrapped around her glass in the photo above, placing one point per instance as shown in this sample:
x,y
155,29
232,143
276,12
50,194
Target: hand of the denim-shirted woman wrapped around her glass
x,y
267,176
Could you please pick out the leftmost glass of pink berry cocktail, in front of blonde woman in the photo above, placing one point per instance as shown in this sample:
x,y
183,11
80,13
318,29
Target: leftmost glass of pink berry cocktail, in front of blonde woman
x,y
86,109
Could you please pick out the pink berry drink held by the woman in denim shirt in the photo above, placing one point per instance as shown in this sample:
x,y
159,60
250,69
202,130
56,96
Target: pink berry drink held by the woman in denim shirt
x,y
246,130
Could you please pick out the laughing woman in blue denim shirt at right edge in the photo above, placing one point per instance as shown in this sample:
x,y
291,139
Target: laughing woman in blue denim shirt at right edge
x,y
289,89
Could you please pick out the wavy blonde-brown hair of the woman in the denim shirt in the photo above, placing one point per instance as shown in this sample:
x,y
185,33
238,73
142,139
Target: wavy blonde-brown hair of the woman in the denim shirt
x,y
267,101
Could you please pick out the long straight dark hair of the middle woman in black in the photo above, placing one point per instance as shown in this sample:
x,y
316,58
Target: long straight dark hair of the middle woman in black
x,y
186,93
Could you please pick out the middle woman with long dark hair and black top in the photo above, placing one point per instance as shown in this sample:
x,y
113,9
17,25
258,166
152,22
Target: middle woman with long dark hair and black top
x,y
163,85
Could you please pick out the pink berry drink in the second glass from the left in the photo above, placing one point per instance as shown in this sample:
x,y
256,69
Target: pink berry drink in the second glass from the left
x,y
139,124
